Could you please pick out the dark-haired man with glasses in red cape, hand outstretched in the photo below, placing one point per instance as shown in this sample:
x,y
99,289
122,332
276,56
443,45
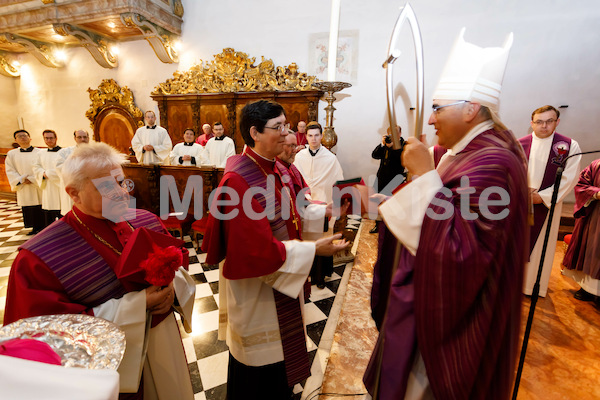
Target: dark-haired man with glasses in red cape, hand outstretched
x,y
255,233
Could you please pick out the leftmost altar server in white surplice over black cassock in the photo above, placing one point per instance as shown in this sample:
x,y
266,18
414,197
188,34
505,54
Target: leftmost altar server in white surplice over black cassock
x,y
19,171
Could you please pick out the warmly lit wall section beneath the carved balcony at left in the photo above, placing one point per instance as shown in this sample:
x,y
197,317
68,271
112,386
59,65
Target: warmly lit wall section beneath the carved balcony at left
x,y
57,98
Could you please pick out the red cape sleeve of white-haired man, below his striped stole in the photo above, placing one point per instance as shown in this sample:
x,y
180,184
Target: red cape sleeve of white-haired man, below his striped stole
x,y
43,295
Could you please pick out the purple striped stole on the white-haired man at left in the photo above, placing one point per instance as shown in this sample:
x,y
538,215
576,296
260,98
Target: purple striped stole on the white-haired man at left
x,y
84,274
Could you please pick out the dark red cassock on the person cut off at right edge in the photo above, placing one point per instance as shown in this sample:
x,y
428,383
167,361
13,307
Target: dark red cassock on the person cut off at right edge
x,y
583,253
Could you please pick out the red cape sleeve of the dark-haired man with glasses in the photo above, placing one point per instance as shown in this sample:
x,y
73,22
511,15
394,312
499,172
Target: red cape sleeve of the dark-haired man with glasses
x,y
248,245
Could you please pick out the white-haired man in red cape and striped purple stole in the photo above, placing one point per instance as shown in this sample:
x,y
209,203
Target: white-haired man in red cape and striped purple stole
x,y
71,268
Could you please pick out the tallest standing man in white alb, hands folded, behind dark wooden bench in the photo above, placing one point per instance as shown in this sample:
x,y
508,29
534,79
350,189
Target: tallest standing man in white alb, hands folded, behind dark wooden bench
x,y
151,143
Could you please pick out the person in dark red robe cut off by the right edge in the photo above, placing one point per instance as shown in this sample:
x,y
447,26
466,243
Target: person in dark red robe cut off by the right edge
x,y
581,259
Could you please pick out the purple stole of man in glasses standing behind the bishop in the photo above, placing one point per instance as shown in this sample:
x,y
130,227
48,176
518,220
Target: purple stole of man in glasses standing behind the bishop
x,y
561,145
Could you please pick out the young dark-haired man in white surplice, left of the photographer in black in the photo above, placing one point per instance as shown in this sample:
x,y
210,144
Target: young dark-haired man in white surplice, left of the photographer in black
x,y
319,167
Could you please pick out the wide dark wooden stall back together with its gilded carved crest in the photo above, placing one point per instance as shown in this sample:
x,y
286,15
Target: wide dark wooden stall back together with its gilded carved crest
x,y
218,90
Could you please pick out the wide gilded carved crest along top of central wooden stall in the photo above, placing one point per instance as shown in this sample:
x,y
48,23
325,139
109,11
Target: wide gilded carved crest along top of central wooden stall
x,y
234,71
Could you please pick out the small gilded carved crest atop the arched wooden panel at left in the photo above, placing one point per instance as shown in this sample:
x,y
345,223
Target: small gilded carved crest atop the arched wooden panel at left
x,y
109,92
